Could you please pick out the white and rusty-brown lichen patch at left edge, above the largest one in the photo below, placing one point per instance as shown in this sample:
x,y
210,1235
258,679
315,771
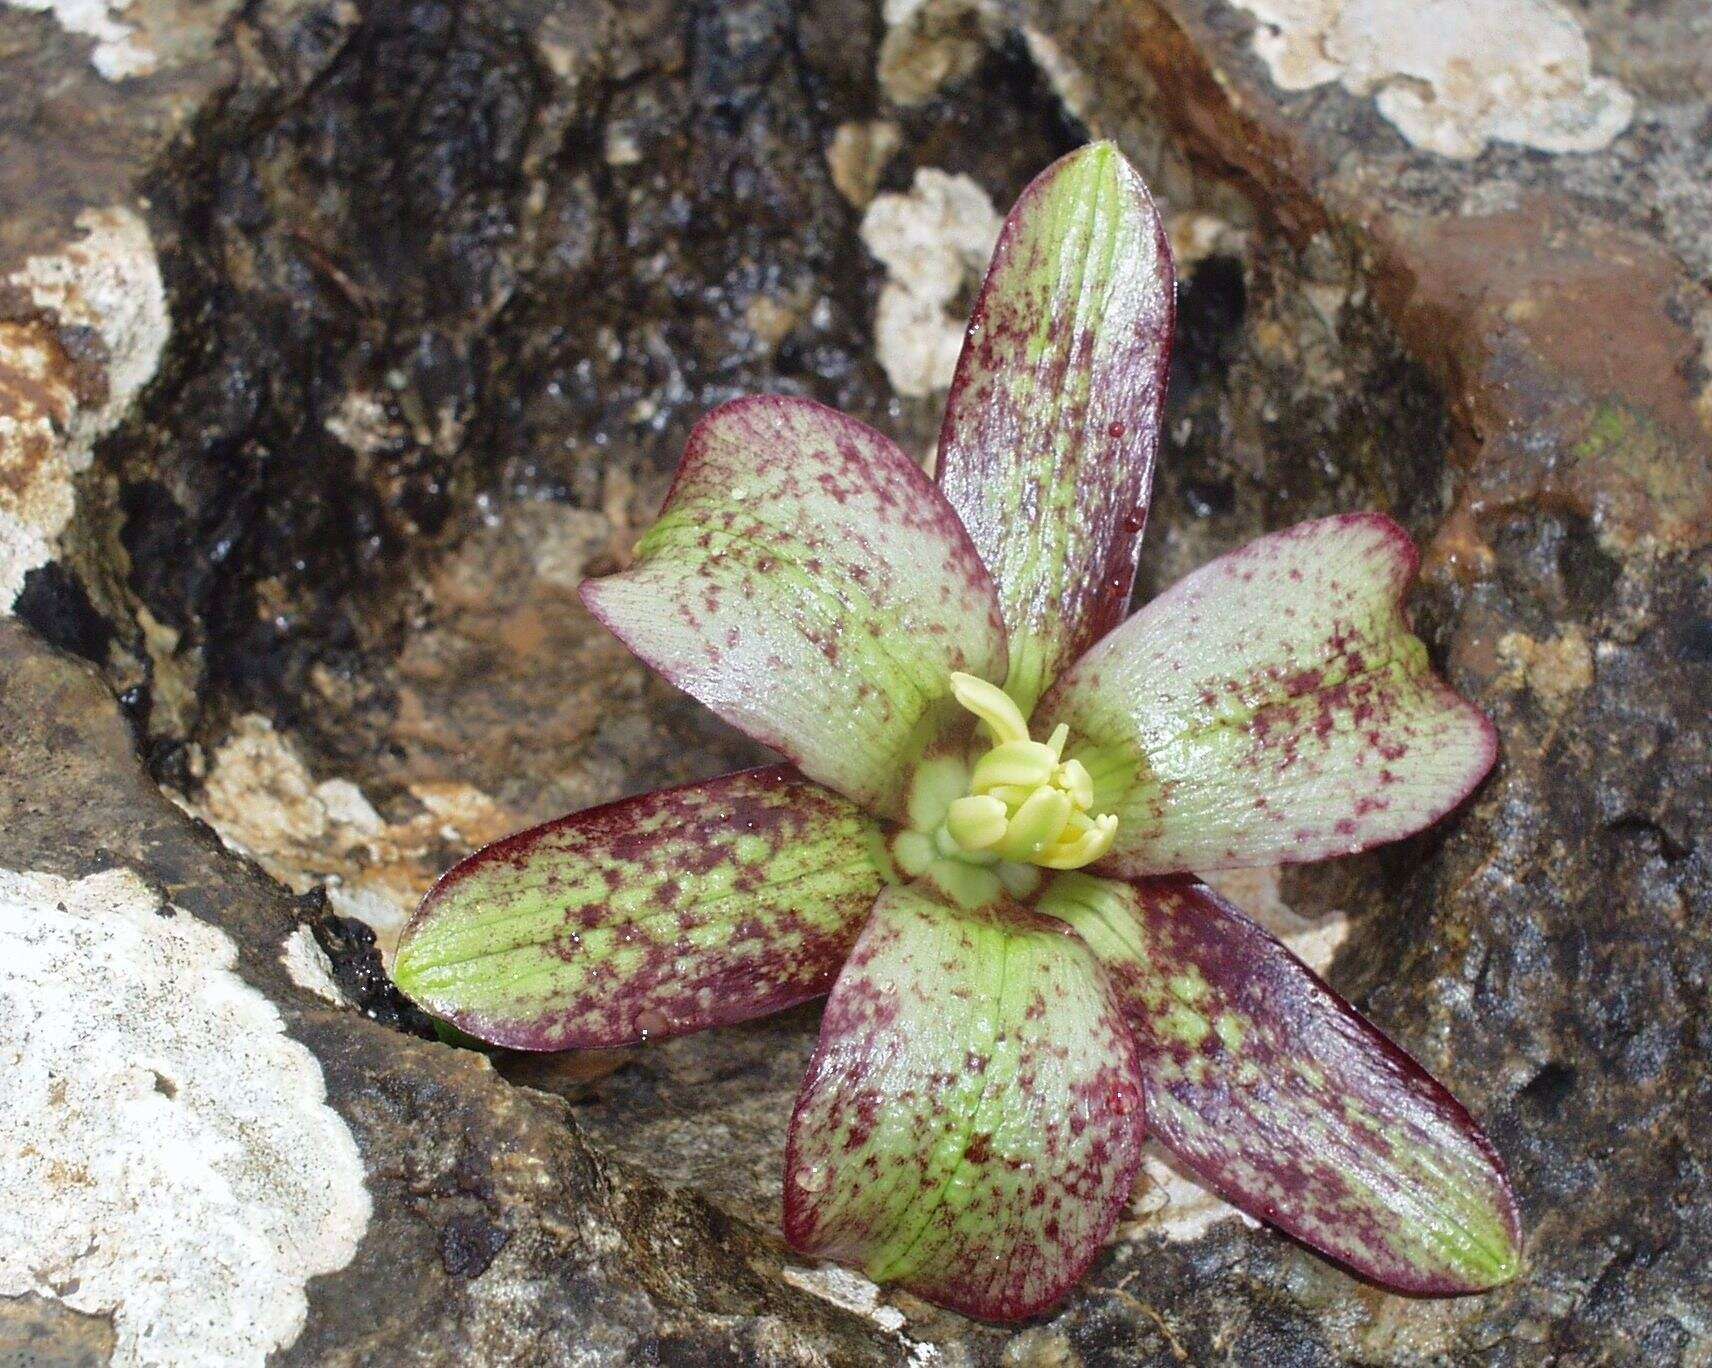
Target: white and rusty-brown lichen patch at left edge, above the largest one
x,y
109,282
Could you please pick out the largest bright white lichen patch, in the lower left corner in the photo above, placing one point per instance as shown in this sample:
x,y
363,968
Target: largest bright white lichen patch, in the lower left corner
x,y
170,1157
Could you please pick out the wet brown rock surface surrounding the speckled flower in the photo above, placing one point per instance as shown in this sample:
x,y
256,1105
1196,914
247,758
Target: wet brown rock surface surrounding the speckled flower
x,y
338,343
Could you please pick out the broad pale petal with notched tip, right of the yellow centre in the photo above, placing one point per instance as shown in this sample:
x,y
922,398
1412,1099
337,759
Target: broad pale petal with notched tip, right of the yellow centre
x,y
1273,708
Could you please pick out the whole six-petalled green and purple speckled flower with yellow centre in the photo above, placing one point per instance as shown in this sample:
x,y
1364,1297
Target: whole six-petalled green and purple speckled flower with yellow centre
x,y
999,795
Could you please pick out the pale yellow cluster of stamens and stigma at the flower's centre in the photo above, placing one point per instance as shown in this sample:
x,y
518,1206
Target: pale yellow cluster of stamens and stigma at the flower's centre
x,y
1026,802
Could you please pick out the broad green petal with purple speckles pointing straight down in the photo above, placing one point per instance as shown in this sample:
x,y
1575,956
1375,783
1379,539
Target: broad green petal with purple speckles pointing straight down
x,y
972,1122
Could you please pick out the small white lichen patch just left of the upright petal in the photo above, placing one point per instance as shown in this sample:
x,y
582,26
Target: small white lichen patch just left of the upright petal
x,y
934,242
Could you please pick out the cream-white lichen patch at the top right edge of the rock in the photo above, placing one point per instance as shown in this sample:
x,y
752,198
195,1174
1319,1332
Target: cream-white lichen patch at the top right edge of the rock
x,y
1451,74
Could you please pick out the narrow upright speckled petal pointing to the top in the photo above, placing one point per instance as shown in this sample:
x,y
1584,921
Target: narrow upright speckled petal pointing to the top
x,y
1054,417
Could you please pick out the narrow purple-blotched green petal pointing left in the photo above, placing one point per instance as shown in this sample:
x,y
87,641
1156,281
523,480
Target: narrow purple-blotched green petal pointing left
x,y
653,917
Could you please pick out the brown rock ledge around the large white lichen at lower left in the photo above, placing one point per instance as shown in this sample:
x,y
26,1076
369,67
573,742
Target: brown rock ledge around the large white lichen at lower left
x,y
484,1227
